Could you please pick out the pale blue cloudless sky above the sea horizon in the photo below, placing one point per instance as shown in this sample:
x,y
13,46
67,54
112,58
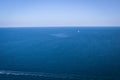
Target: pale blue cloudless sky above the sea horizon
x,y
27,13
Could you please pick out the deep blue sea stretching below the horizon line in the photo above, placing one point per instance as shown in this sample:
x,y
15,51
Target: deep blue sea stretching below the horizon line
x,y
65,53
